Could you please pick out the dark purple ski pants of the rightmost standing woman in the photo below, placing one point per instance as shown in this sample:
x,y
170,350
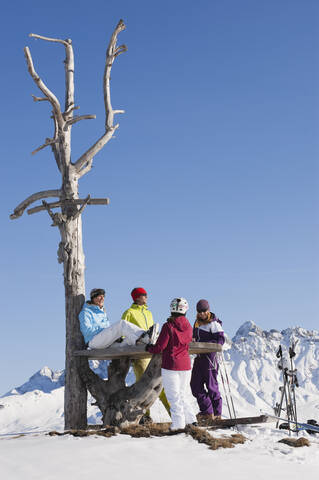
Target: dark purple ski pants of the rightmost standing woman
x,y
204,386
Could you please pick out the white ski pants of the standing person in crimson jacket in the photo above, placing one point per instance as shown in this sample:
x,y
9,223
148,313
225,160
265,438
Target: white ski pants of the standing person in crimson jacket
x,y
177,388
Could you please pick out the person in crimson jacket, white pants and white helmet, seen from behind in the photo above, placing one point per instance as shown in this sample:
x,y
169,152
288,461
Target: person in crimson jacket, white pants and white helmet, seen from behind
x,y
173,343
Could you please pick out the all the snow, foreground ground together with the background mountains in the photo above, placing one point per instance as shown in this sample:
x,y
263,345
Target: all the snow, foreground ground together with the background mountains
x,y
28,412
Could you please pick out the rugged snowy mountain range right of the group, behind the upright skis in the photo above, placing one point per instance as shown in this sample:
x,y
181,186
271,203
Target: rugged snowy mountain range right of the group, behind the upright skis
x,y
254,373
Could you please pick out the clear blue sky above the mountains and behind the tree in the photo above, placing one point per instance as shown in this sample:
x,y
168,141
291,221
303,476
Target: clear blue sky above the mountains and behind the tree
x,y
213,174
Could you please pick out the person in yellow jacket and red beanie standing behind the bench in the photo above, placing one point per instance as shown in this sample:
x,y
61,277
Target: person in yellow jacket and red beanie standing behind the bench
x,y
140,315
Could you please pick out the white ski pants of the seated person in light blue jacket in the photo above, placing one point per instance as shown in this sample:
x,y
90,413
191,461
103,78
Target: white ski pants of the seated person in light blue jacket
x,y
119,329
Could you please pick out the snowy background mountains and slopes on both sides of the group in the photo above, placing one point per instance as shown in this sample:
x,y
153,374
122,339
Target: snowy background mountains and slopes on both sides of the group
x,y
249,370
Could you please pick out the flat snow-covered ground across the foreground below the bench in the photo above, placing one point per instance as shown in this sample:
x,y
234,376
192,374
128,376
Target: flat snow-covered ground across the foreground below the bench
x,y
42,457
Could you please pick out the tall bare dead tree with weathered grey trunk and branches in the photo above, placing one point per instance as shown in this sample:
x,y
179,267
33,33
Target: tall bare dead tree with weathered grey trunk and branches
x,y
68,220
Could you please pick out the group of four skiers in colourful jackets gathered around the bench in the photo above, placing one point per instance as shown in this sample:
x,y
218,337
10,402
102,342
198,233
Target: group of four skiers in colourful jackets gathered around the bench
x,y
137,326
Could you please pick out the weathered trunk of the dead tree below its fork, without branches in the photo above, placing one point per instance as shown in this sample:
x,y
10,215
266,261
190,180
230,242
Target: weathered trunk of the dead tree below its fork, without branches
x,y
71,254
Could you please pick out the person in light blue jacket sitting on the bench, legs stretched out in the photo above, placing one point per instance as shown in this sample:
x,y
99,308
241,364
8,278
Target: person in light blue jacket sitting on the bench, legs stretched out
x,y
97,331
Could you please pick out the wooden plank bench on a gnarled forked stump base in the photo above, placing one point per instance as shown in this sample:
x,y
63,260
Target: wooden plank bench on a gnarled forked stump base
x,y
118,402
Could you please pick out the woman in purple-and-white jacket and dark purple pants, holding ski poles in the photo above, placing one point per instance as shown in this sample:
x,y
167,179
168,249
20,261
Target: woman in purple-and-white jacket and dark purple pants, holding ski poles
x,y
204,384
